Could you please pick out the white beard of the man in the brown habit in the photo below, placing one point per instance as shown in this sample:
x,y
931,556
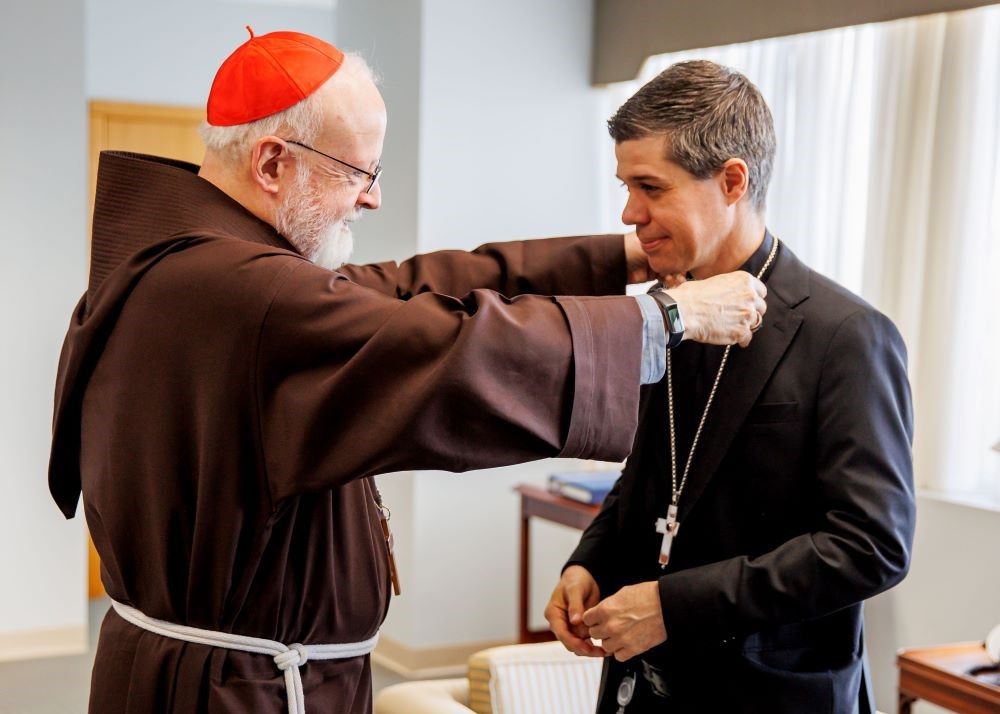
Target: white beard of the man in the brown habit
x,y
324,240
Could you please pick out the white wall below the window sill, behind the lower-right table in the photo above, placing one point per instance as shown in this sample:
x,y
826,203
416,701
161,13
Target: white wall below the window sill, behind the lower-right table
x,y
950,594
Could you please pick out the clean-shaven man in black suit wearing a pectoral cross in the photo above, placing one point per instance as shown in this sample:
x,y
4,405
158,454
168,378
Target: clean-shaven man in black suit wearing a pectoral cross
x,y
769,491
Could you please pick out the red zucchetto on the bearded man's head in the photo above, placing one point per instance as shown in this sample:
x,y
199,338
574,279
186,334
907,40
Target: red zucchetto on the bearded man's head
x,y
268,74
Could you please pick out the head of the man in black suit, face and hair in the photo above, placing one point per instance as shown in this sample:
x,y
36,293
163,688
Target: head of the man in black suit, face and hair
x,y
695,148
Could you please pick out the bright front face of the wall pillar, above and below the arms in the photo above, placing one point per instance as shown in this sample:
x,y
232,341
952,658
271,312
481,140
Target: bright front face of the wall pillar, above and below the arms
x,y
509,148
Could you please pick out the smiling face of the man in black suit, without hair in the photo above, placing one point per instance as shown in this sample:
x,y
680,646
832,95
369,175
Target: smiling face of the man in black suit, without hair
x,y
683,222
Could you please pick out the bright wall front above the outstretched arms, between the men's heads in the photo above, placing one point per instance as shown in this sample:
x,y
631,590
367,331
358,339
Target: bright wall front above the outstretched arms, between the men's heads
x,y
511,132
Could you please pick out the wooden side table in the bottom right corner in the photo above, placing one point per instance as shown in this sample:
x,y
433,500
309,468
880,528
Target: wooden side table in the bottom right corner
x,y
943,675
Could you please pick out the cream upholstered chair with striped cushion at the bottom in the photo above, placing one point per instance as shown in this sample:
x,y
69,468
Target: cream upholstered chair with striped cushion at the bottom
x,y
516,679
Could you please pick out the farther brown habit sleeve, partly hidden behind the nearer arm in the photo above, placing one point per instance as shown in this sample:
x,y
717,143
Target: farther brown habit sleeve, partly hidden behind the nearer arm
x,y
582,265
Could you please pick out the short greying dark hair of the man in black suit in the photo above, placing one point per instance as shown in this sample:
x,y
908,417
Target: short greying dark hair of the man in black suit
x,y
709,114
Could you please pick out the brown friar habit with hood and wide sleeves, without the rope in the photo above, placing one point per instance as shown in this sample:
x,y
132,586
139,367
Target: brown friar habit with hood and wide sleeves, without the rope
x,y
223,403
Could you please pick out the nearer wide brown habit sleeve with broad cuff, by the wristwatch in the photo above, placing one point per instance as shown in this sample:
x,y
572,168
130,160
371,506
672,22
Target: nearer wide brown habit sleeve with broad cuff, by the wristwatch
x,y
353,383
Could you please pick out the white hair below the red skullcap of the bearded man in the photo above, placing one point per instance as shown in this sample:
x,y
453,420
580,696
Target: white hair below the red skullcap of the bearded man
x,y
301,121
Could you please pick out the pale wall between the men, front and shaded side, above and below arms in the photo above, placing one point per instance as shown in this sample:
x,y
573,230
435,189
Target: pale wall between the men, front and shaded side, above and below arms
x,y
501,140
